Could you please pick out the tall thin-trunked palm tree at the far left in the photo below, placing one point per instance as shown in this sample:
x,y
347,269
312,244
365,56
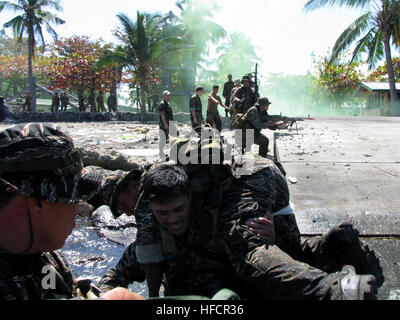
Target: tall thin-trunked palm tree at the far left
x,y
33,16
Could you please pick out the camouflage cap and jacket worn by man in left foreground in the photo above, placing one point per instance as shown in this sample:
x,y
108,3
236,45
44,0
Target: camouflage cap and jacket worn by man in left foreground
x,y
39,162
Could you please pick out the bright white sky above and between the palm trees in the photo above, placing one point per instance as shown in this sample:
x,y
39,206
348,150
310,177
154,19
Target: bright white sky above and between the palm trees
x,y
284,36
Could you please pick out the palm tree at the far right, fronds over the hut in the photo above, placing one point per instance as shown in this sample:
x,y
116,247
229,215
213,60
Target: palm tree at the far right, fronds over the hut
x,y
374,32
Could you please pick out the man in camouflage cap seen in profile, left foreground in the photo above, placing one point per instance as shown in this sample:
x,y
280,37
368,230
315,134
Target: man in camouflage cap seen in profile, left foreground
x,y
40,195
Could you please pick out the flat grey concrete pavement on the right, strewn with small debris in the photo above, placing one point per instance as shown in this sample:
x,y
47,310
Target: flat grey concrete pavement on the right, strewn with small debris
x,y
348,169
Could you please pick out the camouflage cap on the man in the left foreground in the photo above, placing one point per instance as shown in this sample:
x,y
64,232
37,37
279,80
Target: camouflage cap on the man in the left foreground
x,y
41,162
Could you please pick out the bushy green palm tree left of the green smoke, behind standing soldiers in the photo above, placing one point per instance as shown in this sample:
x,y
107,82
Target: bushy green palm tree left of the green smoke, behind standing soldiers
x,y
141,51
